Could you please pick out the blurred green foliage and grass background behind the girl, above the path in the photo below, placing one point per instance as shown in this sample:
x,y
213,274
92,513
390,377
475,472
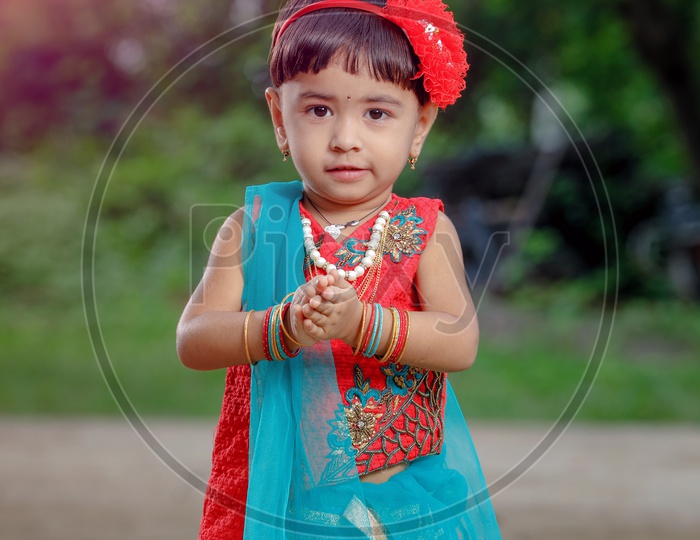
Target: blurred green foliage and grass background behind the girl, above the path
x,y
142,121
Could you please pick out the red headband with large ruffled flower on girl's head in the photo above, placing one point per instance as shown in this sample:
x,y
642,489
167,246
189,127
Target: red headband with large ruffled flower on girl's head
x,y
431,31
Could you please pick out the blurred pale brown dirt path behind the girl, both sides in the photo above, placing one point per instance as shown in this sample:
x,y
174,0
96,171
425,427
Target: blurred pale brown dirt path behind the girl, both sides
x,y
96,479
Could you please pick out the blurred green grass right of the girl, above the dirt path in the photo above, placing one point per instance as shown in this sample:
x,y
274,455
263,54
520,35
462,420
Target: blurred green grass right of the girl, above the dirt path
x,y
650,370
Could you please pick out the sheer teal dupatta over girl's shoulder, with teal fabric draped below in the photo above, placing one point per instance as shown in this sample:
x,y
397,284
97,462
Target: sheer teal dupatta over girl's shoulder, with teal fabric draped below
x,y
298,430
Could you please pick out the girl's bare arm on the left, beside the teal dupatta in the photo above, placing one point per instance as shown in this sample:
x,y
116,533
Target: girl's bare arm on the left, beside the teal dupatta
x,y
210,331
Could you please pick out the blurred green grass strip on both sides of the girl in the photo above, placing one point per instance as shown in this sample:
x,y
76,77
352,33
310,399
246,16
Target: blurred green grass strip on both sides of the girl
x,y
527,369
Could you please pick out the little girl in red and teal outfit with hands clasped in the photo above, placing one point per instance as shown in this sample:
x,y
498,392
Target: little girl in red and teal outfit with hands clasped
x,y
338,307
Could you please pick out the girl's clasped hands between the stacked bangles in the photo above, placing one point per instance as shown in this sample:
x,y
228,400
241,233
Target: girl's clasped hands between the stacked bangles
x,y
325,308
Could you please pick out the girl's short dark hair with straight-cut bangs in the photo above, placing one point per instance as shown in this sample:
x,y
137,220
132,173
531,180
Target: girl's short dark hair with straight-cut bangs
x,y
354,38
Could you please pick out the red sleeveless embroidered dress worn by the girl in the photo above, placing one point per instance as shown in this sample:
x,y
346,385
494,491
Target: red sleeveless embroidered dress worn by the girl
x,y
394,412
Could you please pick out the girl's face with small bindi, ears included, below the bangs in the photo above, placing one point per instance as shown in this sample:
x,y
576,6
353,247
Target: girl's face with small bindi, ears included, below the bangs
x,y
349,135
